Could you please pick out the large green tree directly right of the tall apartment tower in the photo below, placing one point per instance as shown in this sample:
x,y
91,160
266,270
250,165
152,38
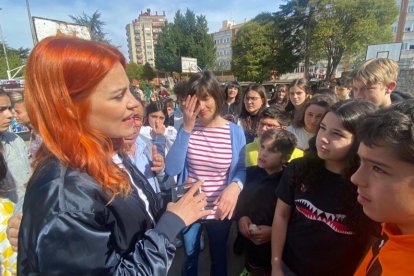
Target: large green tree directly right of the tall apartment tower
x,y
187,36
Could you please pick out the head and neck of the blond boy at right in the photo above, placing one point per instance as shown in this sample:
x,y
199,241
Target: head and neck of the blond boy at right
x,y
376,80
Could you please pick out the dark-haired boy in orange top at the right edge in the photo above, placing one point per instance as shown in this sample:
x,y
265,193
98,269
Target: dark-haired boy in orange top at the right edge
x,y
385,181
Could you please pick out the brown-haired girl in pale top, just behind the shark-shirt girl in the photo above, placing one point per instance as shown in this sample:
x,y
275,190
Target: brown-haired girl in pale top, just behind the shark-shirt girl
x,y
306,124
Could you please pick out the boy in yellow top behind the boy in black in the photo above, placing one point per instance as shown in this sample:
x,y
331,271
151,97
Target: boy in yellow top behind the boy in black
x,y
271,118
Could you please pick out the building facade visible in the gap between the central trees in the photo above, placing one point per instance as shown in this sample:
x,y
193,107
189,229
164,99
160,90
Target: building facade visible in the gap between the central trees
x,y
222,42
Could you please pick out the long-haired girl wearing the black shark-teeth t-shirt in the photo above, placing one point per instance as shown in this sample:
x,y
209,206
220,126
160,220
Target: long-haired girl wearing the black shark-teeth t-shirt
x,y
318,227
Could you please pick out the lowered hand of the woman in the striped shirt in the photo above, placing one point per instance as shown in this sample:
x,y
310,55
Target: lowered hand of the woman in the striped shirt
x,y
226,202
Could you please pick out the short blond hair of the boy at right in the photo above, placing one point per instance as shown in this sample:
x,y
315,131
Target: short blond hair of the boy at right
x,y
378,70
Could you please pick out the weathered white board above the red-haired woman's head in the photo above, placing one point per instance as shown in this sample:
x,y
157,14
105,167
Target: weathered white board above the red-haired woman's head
x,y
49,27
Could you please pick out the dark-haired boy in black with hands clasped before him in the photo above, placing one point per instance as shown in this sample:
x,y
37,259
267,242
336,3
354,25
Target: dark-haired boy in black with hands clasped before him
x,y
257,201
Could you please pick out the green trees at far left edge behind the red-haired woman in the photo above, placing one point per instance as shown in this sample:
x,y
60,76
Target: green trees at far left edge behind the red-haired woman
x,y
16,58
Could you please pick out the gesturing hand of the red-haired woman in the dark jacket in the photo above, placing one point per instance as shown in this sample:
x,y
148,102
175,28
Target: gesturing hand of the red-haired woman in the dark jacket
x,y
190,207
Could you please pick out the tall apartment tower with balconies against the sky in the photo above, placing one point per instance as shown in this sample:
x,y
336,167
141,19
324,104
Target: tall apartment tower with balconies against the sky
x,y
142,34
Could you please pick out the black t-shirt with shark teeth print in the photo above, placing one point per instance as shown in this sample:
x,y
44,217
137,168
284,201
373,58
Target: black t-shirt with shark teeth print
x,y
319,240
